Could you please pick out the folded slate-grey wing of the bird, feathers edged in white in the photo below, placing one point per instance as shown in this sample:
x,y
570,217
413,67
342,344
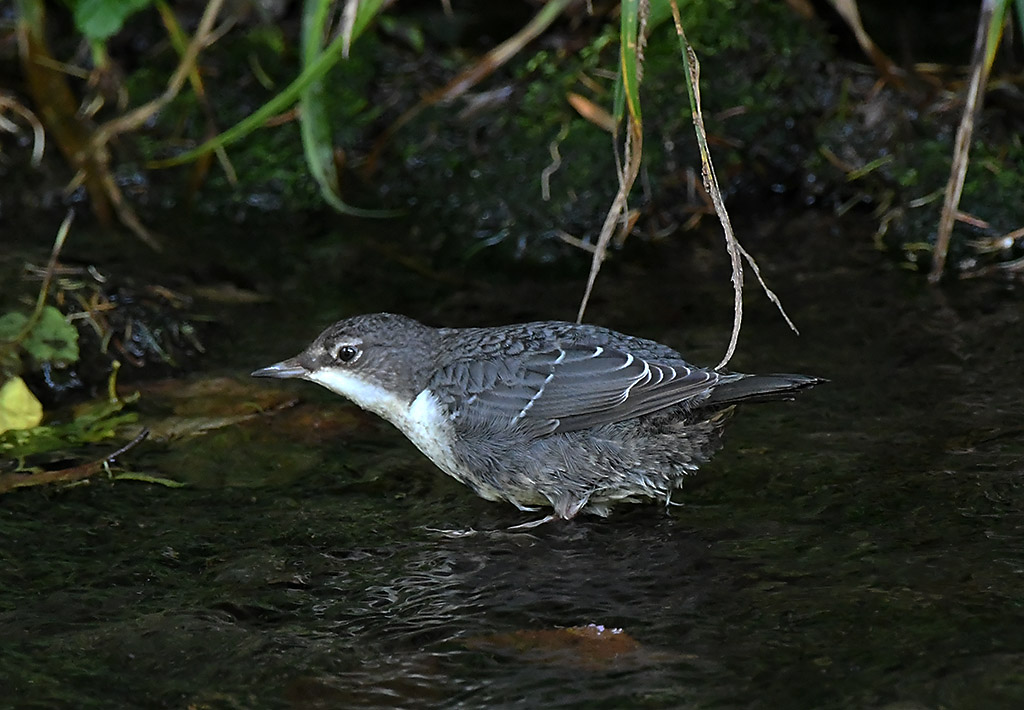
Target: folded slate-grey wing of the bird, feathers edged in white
x,y
570,389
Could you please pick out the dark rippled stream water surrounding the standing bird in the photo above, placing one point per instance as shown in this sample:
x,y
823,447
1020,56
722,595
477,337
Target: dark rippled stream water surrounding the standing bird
x,y
862,548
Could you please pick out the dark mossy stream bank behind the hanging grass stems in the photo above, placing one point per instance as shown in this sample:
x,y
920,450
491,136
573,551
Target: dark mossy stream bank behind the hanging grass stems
x,y
788,116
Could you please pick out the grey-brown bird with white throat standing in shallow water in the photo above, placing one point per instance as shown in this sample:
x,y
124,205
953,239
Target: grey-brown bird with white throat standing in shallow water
x,y
573,416
